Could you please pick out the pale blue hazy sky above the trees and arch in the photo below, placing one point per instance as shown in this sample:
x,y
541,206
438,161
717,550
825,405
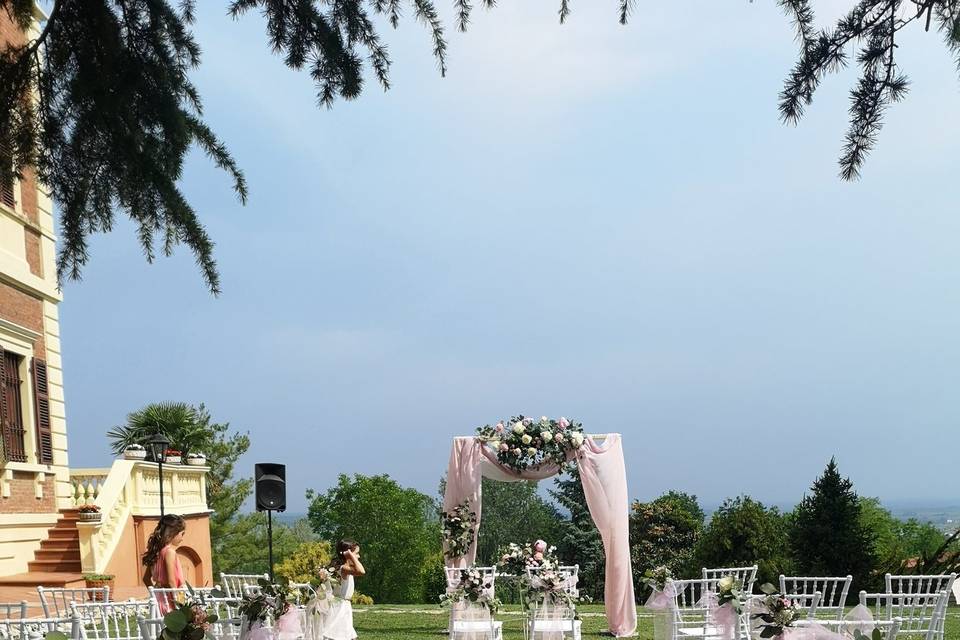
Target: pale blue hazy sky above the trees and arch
x,y
602,222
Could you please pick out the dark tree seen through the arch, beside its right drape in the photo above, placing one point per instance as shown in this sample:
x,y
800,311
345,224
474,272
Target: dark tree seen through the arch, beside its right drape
x,y
579,541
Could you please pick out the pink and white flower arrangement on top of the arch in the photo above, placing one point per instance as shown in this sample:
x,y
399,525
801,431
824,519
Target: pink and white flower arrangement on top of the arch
x,y
522,442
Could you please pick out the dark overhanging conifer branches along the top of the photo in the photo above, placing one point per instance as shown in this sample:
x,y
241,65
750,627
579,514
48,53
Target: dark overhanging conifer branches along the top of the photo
x,y
116,111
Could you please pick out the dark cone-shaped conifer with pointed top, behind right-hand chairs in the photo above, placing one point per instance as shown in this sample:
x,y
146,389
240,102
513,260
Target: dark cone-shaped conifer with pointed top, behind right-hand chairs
x,y
828,536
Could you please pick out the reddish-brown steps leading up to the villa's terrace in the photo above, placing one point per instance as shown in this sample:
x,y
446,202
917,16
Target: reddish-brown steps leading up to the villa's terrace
x,y
57,561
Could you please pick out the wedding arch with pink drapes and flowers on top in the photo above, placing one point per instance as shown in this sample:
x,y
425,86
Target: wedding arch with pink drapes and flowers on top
x,y
497,453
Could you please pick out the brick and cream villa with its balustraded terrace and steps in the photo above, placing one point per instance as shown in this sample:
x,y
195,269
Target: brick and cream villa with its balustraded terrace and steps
x,y
42,540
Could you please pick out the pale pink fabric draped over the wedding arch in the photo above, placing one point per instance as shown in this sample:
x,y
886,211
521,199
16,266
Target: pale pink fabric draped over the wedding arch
x,y
604,478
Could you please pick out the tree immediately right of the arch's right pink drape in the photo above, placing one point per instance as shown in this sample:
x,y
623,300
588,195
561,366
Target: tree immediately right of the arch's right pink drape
x,y
665,532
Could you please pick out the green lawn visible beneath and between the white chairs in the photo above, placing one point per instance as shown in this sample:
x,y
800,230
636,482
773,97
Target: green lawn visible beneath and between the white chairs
x,y
407,622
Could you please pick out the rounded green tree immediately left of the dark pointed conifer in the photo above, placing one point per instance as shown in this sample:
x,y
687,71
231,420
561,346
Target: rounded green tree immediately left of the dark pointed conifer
x,y
743,532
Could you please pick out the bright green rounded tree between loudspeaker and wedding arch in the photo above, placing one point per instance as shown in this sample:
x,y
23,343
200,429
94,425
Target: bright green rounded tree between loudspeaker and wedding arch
x,y
396,527
